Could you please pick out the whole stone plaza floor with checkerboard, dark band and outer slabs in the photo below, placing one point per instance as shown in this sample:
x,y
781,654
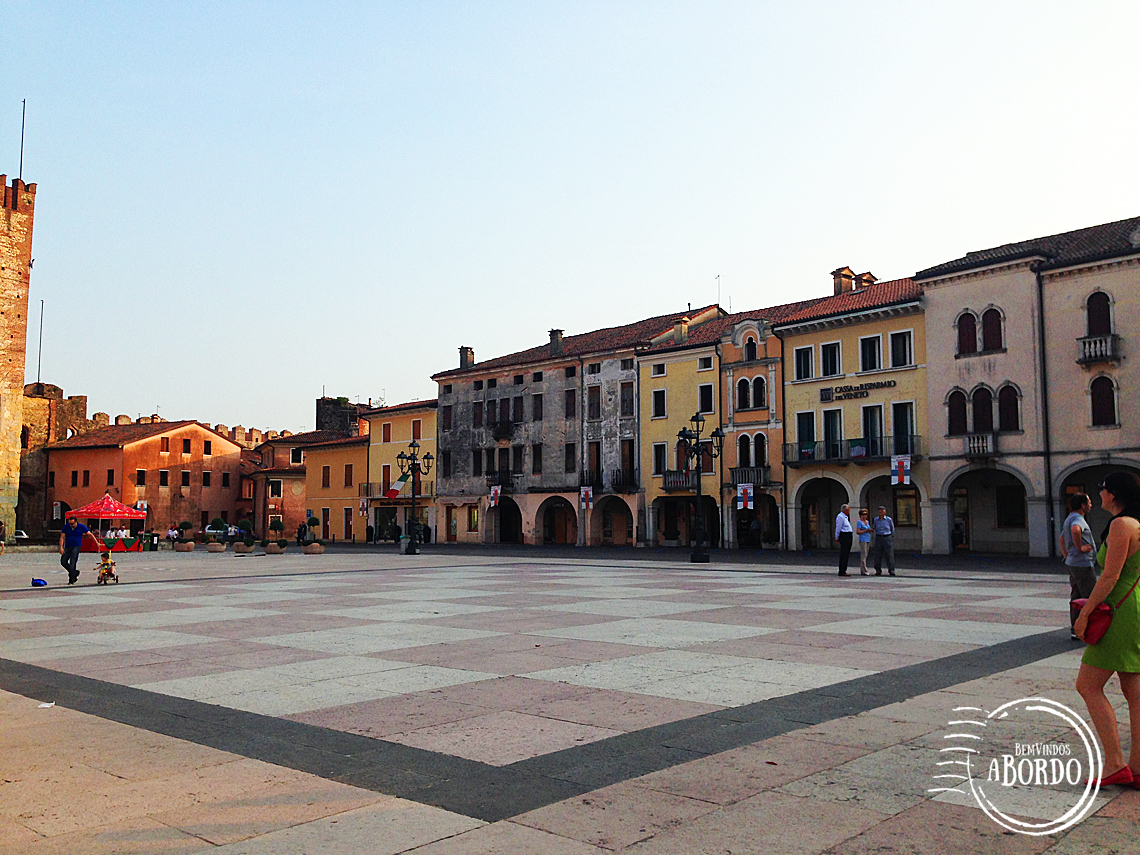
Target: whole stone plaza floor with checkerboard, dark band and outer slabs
x,y
467,703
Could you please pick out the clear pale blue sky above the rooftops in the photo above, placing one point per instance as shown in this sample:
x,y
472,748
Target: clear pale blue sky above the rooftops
x,y
257,201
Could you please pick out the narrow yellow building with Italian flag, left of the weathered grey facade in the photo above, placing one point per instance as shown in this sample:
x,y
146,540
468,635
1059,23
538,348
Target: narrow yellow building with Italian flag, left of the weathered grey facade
x,y
392,430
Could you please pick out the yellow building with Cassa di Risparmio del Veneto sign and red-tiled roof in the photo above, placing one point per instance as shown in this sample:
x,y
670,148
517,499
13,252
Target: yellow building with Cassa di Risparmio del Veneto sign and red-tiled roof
x,y
856,400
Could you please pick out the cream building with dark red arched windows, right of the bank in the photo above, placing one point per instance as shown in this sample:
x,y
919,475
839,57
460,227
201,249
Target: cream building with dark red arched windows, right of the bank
x,y
1029,393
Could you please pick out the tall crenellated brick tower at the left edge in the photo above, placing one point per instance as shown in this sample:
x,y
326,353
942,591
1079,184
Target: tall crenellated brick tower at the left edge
x,y
15,272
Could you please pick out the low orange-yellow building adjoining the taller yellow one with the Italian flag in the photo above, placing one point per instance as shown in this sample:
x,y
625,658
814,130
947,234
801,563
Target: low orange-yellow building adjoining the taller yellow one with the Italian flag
x,y
335,474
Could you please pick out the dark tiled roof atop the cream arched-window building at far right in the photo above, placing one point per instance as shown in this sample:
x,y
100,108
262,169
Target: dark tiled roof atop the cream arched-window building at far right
x,y
1069,248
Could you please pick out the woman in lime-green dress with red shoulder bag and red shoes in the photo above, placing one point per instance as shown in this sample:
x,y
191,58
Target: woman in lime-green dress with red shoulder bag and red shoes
x,y
1119,652
